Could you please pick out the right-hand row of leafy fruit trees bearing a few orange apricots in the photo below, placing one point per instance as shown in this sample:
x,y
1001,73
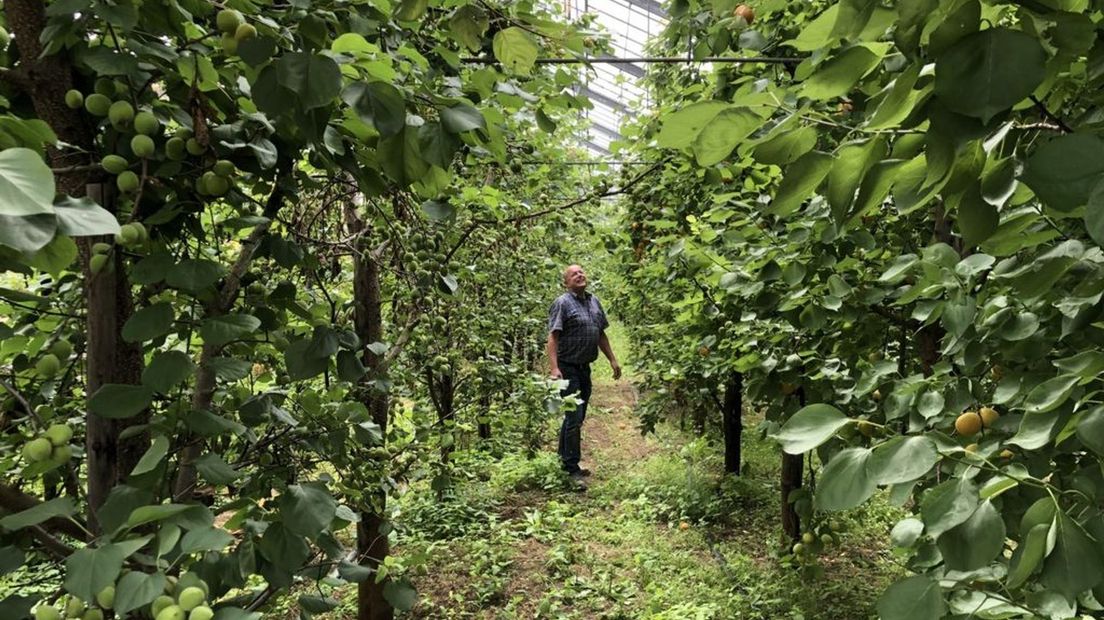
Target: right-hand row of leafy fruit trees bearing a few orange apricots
x,y
886,232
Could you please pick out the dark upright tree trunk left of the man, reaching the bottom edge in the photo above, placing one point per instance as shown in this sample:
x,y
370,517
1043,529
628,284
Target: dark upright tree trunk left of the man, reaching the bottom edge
x,y
373,547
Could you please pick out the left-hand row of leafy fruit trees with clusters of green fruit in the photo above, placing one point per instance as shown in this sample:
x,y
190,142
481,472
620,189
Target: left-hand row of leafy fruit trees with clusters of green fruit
x,y
262,266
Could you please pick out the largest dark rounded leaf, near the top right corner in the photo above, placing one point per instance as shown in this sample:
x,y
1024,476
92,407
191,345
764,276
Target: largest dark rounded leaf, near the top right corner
x,y
989,72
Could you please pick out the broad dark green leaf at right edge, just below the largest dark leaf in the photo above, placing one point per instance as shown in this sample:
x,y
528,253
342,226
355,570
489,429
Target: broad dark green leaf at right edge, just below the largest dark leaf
x,y
1066,172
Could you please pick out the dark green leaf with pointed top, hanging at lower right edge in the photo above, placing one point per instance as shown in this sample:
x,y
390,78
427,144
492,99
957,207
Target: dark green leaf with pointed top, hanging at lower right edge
x,y
1076,564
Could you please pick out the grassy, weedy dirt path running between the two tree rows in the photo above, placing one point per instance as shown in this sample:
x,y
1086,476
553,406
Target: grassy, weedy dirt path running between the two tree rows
x,y
661,535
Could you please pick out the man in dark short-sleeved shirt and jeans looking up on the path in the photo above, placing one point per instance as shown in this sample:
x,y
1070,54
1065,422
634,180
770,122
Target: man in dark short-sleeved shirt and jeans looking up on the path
x,y
577,333
